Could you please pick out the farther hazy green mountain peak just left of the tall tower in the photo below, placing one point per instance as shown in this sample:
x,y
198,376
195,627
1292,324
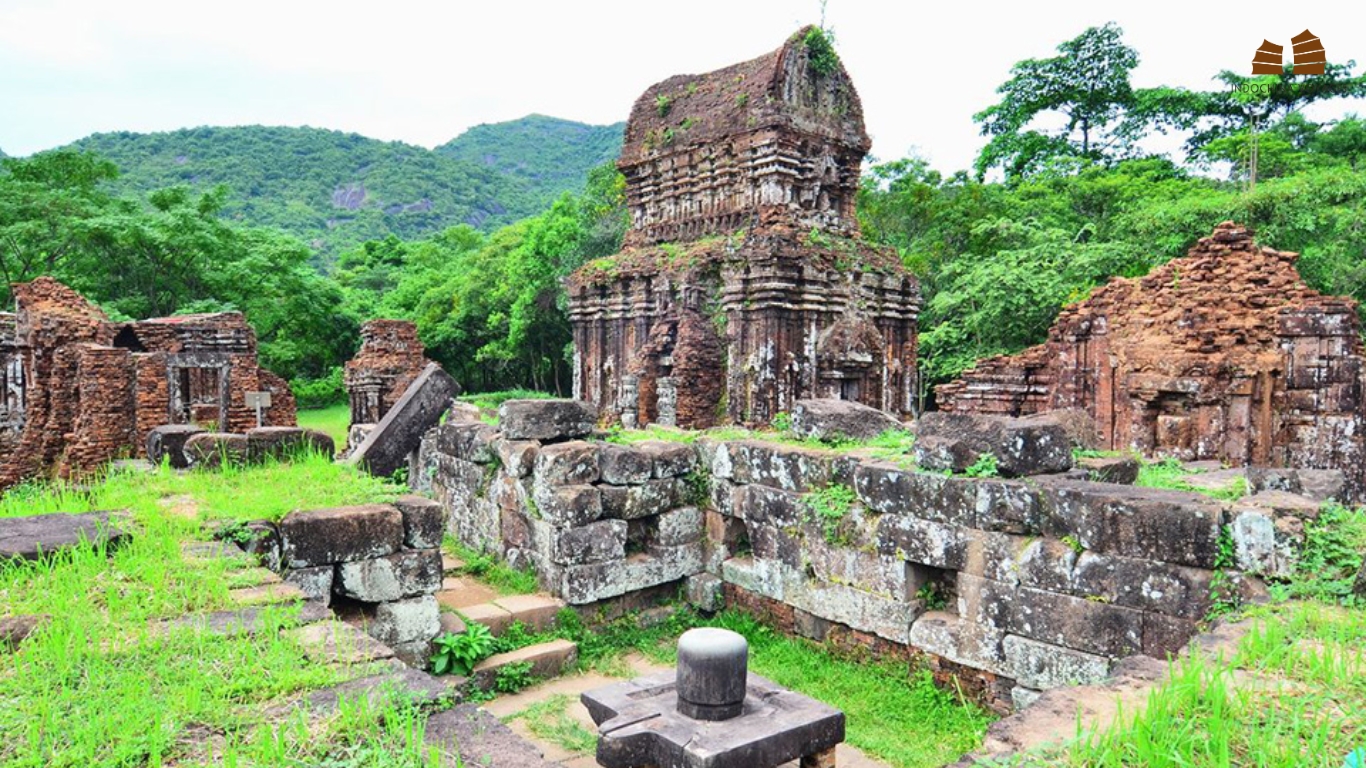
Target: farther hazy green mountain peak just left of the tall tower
x,y
547,154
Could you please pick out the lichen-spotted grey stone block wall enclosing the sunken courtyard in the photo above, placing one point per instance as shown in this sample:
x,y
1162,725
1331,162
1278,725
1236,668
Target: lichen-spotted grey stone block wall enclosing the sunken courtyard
x,y
1013,586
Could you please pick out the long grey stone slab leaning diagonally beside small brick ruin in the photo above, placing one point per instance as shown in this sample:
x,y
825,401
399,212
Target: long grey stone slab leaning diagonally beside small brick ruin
x,y
387,448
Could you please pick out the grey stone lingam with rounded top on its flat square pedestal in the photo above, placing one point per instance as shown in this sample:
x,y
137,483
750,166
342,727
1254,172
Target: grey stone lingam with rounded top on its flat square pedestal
x,y
711,714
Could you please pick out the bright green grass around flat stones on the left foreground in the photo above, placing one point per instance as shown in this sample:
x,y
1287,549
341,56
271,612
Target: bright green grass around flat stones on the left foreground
x,y
107,684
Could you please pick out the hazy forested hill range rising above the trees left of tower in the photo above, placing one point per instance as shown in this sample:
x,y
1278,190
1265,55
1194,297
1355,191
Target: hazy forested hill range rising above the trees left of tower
x,y
335,191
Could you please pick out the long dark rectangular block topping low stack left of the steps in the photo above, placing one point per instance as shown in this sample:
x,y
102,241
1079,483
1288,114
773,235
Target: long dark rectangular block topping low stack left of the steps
x,y
341,535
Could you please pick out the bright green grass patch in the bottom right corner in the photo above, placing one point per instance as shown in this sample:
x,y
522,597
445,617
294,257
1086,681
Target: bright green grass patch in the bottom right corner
x,y
1293,696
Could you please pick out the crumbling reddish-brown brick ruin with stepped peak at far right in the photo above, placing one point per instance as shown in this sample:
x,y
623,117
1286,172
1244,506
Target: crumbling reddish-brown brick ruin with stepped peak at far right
x,y
1225,355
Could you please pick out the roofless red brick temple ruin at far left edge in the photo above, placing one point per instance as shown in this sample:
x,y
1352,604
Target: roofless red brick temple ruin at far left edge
x,y
81,390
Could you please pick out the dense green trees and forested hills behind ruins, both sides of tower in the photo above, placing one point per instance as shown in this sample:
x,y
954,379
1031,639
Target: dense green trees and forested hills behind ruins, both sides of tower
x,y
1043,219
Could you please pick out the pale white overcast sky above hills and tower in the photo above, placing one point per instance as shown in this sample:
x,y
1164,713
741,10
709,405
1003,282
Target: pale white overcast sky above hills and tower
x,y
423,73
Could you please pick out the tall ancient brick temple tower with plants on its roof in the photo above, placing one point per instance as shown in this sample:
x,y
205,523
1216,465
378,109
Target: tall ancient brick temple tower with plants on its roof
x,y
744,284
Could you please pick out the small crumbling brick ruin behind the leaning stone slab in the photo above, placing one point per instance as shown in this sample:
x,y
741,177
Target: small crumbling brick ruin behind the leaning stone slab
x,y
390,360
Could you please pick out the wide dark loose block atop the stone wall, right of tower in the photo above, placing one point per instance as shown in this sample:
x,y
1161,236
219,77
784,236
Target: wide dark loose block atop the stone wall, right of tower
x,y
953,442
